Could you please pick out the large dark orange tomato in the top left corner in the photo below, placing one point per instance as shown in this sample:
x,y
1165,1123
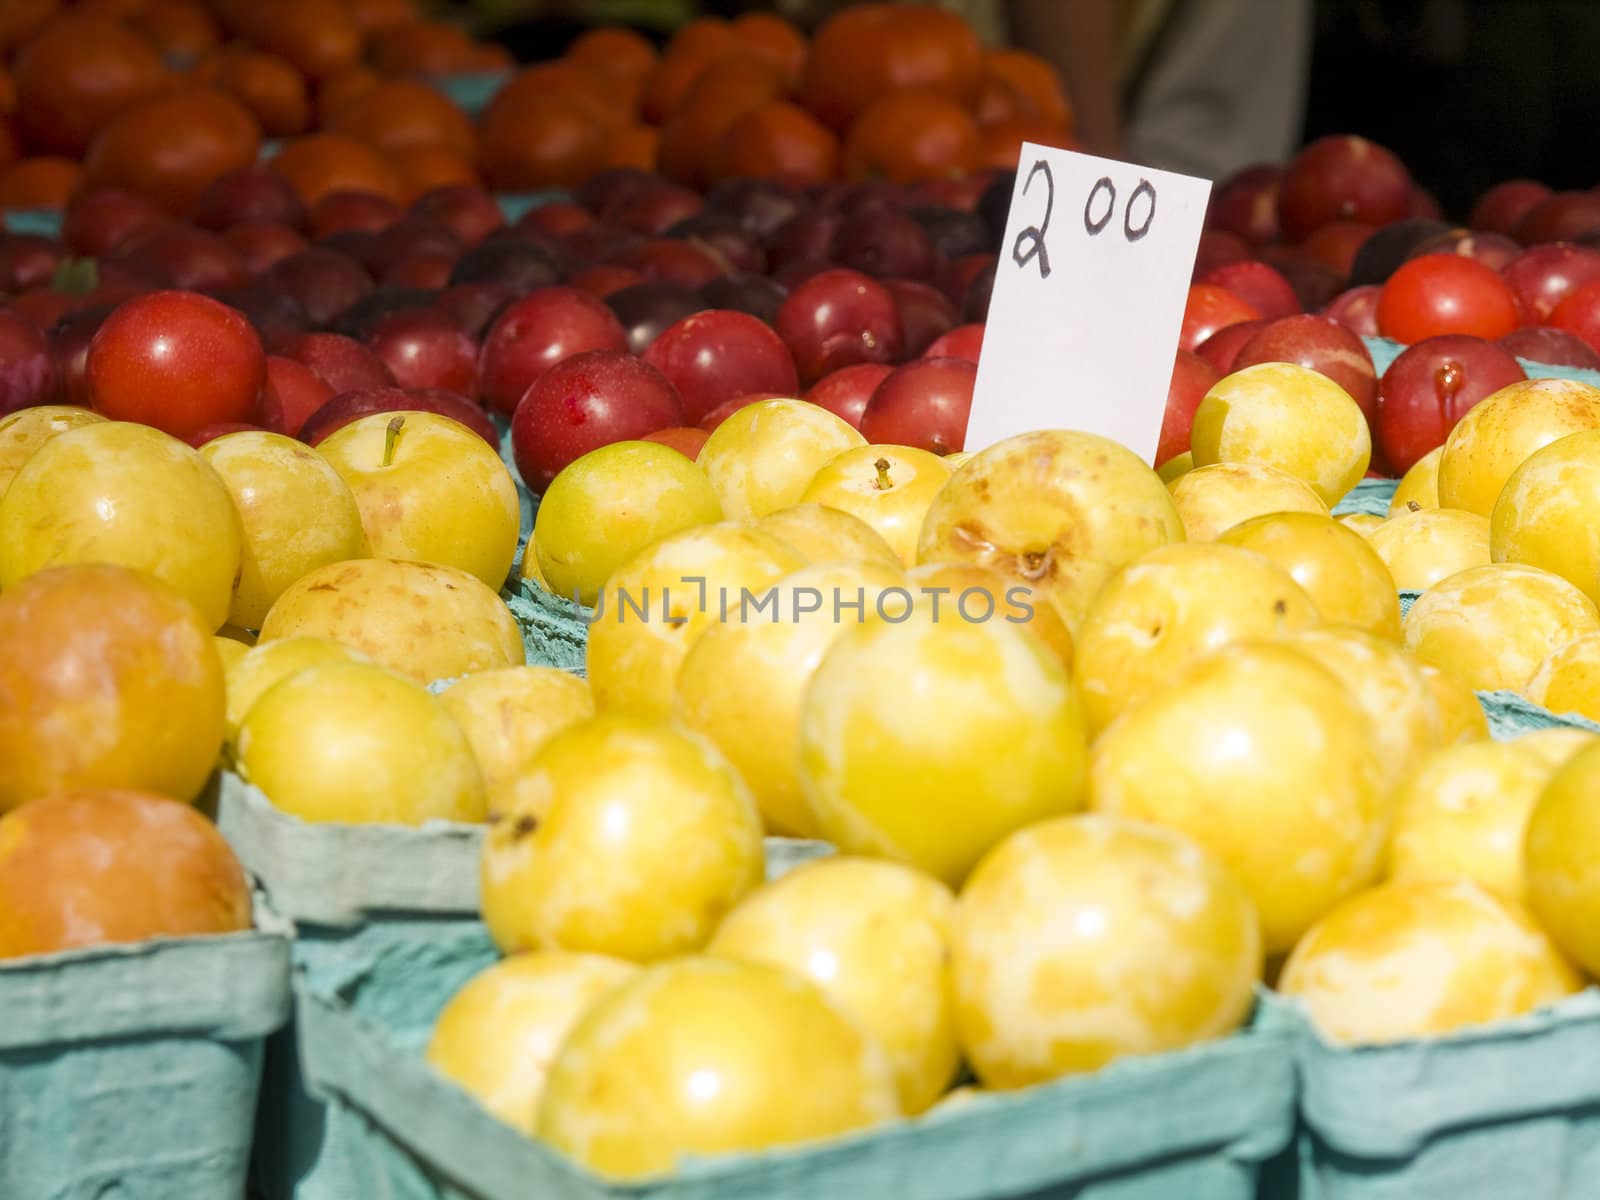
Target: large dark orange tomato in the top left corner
x,y
76,78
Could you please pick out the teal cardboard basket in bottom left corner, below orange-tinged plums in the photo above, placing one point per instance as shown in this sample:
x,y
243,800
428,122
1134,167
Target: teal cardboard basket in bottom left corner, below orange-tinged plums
x,y
132,1073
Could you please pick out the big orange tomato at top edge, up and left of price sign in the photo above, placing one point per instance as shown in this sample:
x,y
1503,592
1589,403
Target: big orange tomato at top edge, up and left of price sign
x,y
873,50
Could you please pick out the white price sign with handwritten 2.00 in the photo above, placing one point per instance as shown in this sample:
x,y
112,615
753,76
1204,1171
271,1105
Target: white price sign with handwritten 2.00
x,y
1089,300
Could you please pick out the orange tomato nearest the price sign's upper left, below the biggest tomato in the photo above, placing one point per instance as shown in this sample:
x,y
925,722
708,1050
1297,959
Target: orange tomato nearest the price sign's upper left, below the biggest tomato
x,y
908,137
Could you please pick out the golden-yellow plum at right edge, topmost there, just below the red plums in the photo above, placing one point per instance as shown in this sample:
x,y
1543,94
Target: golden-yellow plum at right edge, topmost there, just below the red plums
x,y
1505,431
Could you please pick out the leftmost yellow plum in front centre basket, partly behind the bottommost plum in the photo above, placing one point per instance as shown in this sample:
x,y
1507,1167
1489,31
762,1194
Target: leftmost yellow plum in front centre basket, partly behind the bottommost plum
x,y
498,1036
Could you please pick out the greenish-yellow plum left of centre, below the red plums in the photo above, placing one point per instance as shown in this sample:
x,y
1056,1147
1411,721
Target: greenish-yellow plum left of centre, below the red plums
x,y
609,506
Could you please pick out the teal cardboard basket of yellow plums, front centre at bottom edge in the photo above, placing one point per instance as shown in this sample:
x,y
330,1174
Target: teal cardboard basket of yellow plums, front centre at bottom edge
x,y
1194,1124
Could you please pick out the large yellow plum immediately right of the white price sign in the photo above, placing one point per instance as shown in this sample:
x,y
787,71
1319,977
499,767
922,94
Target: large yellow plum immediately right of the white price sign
x,y
1287,417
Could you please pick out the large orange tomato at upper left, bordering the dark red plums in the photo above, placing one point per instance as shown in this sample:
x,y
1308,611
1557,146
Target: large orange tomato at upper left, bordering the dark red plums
x,y
170,150
